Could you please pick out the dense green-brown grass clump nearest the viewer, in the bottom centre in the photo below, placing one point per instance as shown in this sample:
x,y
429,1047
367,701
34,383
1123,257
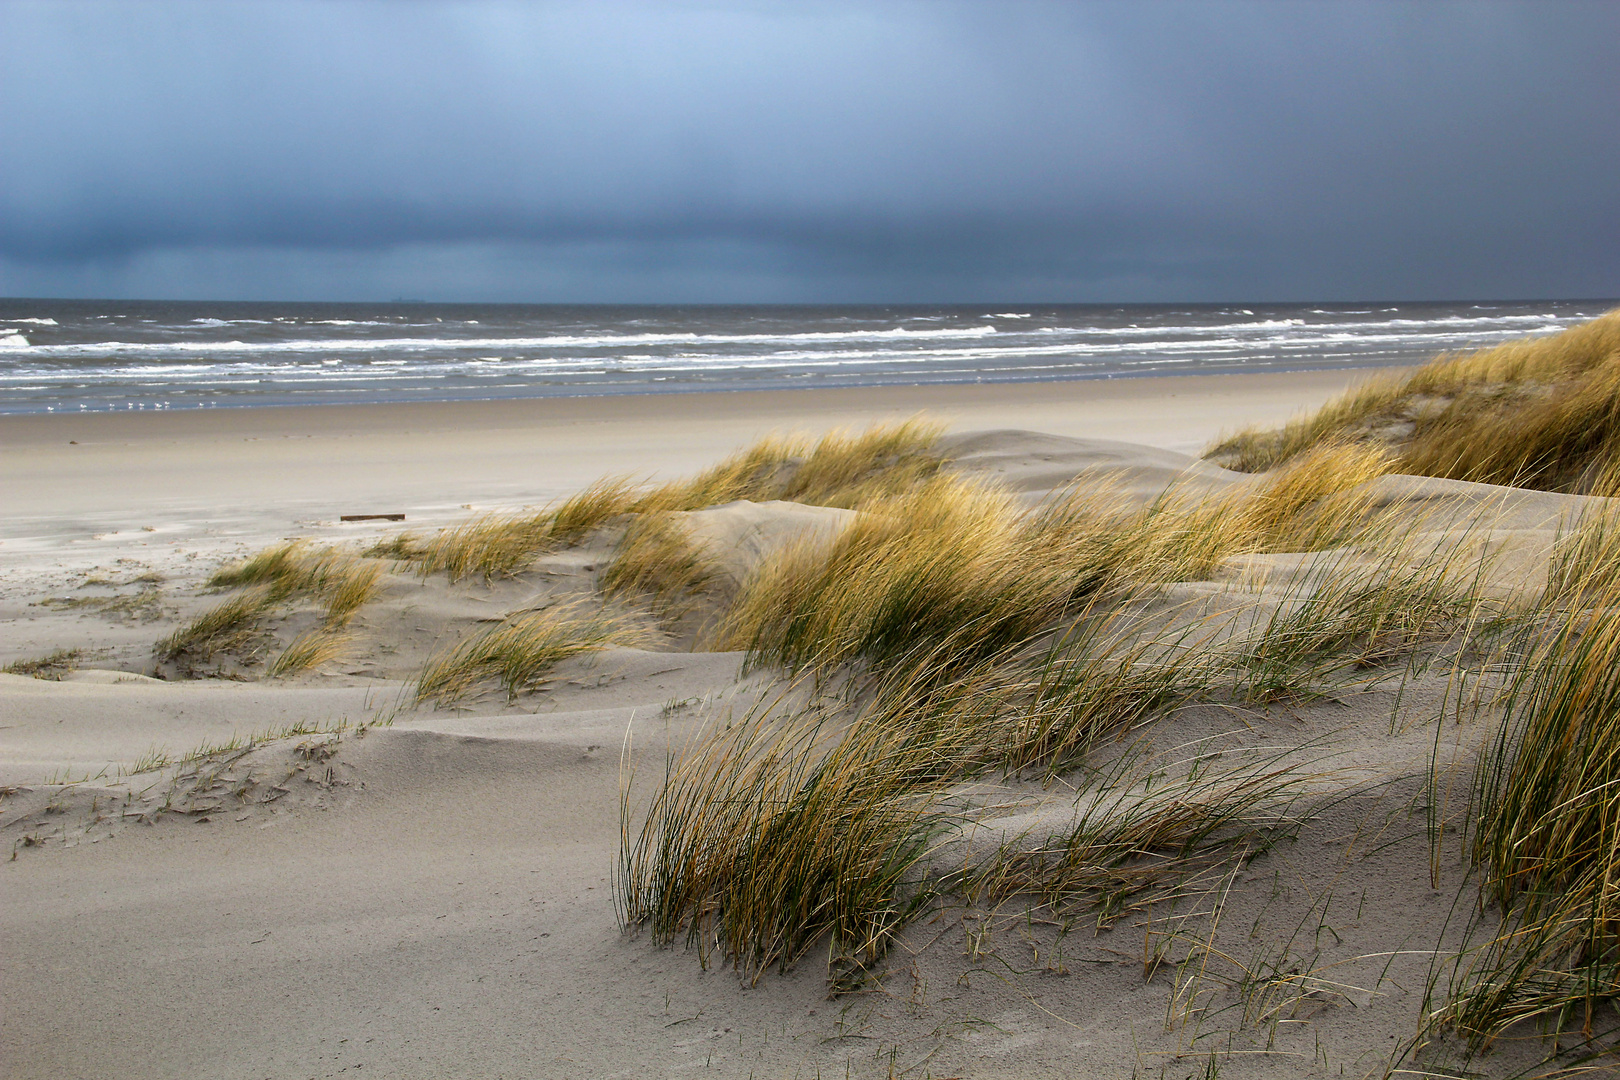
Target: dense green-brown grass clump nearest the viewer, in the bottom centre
x,y
777,831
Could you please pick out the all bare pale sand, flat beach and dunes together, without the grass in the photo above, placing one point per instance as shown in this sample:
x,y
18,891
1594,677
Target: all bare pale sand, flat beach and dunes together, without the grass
x,y
433,896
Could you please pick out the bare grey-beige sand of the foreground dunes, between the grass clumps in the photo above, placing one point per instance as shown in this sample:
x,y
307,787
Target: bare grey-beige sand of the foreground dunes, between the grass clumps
x,y
427,891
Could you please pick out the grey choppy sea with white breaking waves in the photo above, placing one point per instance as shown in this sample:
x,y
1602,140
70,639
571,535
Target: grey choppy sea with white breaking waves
x,y
59,355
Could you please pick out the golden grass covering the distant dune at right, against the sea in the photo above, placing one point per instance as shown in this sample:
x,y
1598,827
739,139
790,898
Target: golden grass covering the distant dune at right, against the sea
x,y
1537,414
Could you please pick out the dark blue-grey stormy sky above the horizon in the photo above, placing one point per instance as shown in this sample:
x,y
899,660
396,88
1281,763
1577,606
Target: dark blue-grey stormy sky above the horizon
x,y
811,151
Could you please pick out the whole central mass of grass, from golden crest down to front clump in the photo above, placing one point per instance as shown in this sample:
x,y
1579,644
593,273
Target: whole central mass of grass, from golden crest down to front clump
x,y
994,639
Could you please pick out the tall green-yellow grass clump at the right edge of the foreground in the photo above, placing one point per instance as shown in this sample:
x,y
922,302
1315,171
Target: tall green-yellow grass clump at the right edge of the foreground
x,y
1548,819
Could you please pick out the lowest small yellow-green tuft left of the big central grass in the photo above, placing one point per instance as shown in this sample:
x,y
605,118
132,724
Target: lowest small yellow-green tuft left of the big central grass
x,y
521,652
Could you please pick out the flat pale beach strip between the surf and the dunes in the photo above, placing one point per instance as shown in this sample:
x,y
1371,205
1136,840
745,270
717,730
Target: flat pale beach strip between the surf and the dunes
x,y
98,472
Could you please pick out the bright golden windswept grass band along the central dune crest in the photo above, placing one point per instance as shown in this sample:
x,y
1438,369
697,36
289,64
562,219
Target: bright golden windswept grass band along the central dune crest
x,y
965,564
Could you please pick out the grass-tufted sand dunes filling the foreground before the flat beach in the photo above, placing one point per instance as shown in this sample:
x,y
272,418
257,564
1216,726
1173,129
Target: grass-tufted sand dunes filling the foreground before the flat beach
x,y
983,754
